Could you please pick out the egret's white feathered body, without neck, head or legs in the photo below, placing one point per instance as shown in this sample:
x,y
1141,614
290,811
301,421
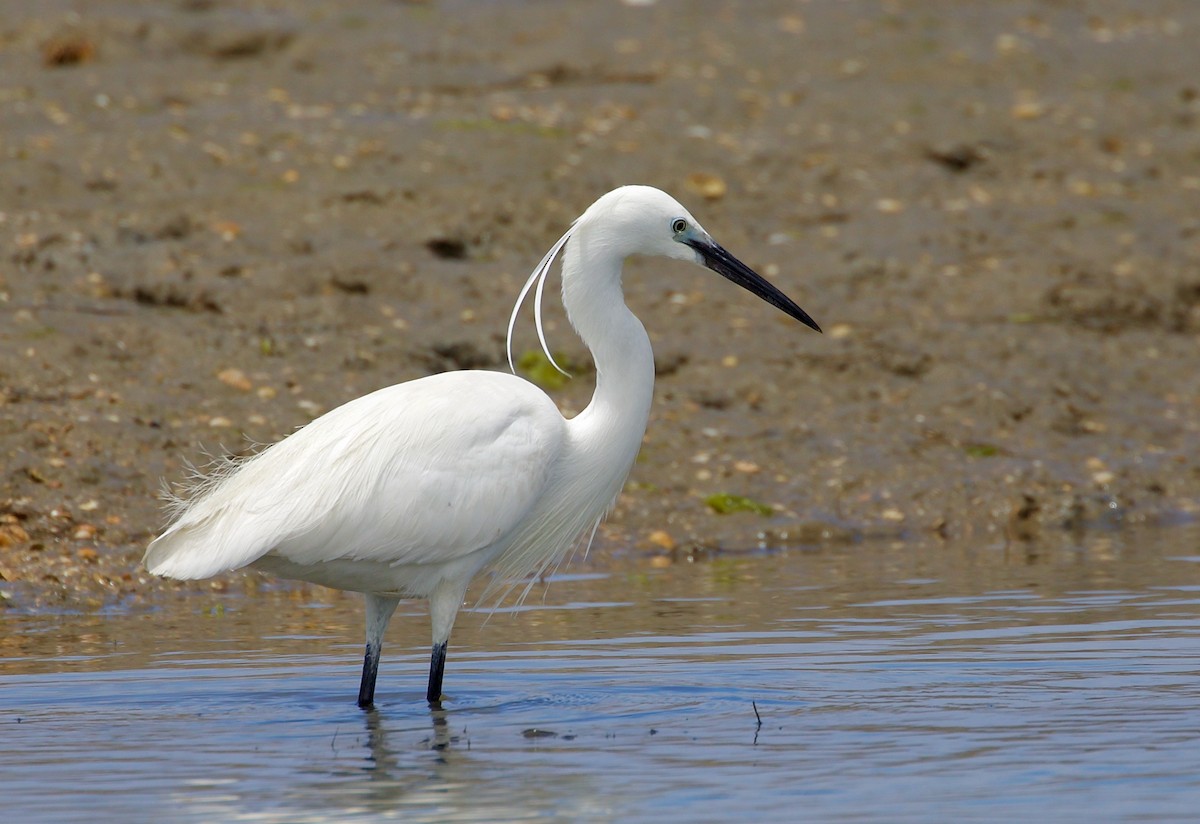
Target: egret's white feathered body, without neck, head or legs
x,y
404,488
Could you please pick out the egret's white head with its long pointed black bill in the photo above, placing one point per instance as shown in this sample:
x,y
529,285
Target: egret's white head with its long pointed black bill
x,y
641,220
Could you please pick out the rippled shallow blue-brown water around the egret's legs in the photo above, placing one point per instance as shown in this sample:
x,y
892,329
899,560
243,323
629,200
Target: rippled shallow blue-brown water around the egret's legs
x,y
893,682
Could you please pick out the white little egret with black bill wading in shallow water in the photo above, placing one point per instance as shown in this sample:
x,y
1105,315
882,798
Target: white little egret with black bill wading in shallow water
x,y
413,490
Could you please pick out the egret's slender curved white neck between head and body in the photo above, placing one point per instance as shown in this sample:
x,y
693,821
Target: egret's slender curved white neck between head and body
x,y
620,346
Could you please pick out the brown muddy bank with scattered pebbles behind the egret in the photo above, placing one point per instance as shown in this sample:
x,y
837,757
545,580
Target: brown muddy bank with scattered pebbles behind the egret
x,y
219,222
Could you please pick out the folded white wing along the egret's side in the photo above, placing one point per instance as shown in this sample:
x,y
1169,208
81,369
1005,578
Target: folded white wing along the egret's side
x,y
419,473
